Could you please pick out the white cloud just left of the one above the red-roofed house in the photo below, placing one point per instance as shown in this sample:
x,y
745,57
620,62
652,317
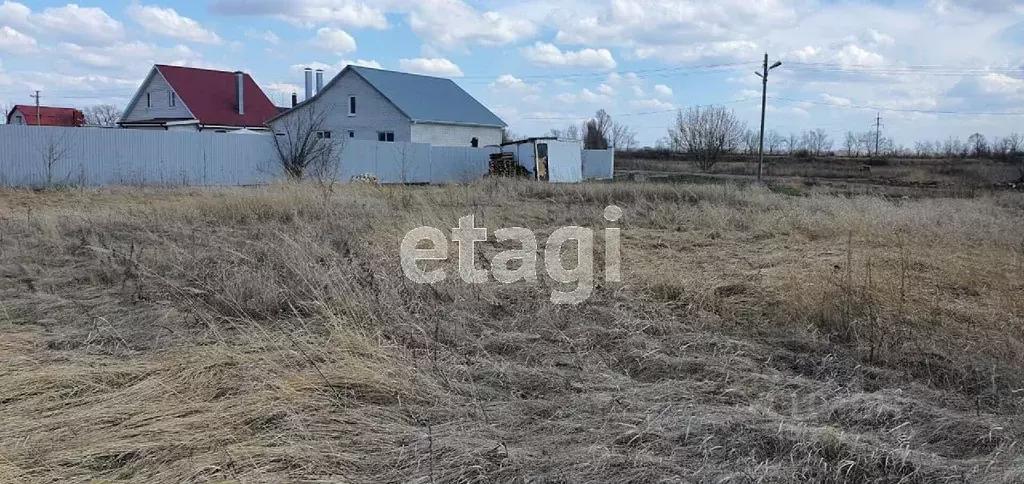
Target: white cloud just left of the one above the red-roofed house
x,y
82,25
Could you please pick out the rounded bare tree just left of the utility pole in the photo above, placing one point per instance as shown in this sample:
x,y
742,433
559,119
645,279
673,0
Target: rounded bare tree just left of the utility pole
x,y
707,134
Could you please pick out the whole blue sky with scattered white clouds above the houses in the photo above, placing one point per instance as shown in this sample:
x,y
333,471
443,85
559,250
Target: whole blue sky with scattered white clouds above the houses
x,y
931,69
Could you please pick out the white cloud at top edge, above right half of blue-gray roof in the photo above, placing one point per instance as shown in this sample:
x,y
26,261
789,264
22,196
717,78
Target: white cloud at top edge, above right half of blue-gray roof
x,y
455,24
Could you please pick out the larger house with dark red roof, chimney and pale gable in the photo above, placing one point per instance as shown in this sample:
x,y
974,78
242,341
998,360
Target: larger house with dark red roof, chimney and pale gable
x,y
188,99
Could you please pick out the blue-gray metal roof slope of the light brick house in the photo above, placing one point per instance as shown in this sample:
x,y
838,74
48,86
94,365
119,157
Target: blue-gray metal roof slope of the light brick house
x,y
424,99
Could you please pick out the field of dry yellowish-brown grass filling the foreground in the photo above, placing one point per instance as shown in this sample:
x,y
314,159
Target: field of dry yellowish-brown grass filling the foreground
x,y
269,335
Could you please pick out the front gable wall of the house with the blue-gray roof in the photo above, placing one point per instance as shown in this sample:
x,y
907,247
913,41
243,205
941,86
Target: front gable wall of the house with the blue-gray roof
x,y
373,112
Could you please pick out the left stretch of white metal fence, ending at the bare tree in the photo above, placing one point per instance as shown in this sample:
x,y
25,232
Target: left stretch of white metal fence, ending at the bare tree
x,y
42,156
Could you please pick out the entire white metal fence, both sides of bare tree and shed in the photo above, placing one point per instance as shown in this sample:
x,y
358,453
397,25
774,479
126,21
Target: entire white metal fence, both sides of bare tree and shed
x,y
44,156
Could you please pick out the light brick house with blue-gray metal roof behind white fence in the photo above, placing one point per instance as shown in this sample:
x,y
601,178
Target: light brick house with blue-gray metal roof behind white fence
x,y
386,106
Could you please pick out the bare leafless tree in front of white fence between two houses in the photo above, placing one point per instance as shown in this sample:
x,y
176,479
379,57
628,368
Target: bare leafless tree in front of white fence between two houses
x,y
306,145
